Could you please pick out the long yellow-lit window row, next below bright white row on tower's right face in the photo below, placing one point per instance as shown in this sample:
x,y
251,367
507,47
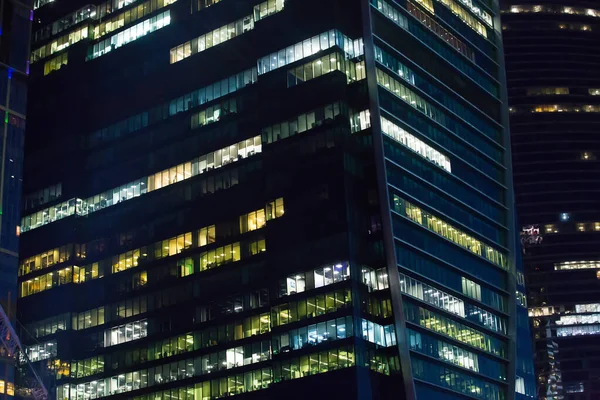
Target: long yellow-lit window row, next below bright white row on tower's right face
x,y
449,232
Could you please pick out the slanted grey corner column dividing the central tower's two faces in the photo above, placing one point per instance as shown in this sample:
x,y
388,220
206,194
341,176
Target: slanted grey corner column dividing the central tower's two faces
x,y
384,205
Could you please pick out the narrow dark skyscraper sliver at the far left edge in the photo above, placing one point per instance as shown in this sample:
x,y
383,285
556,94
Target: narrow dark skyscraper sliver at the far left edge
x,y
15,26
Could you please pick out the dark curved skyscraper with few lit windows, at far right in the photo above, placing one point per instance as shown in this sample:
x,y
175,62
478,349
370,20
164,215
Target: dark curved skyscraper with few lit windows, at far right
x,y
554,87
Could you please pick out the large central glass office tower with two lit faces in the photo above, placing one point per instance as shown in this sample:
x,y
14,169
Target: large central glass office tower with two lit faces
x,y
280,199
